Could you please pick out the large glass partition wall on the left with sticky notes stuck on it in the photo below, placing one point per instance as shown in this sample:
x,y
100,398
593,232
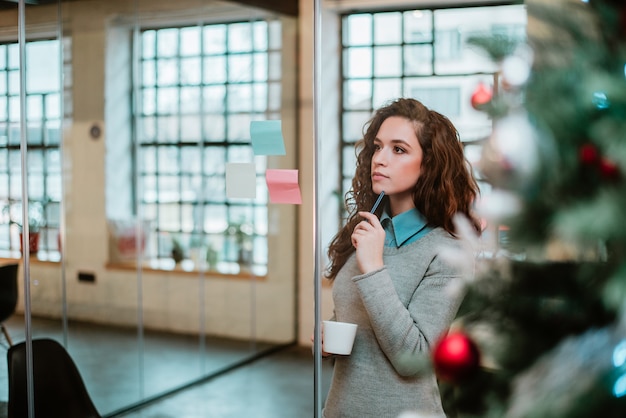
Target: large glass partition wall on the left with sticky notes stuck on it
x,y
147,270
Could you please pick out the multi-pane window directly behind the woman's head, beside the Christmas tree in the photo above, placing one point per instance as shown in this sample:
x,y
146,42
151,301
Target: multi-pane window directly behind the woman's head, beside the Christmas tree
x,y
421,54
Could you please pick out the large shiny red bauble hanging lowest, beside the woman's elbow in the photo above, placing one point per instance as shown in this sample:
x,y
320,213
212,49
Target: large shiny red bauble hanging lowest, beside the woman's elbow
x,y
456,357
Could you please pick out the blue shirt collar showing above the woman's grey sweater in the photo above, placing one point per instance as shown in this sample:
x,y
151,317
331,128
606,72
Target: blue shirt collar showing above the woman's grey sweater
x,y
404,228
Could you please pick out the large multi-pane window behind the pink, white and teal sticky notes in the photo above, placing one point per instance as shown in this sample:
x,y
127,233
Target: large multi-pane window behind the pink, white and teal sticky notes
x,y
200,87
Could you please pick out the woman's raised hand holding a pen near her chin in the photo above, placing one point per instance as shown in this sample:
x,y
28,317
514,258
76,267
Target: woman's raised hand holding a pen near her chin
x,y
368,238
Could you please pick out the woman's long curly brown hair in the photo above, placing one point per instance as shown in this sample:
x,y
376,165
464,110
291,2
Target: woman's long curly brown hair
x,y
445,187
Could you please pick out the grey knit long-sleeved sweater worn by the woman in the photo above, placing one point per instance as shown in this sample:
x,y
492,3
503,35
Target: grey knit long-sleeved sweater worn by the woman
x,y
401,310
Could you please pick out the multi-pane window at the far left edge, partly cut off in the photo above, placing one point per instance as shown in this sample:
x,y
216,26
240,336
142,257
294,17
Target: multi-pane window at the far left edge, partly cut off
x,y
43,133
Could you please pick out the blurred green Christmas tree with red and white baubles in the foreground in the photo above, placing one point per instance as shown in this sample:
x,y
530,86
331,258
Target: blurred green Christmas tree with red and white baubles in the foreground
x,y
542,331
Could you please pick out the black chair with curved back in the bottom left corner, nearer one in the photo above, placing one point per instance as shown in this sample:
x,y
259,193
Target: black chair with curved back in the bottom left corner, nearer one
x,y
59,390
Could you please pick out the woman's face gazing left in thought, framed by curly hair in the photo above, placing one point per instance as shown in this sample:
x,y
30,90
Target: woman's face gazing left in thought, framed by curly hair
x,y
397,162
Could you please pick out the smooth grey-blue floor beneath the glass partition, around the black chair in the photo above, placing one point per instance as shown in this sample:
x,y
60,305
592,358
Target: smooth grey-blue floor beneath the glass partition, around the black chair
x,y
232,379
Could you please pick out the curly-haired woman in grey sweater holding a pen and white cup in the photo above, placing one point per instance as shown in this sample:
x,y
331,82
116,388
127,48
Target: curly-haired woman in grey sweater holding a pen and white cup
x,y
387,275
